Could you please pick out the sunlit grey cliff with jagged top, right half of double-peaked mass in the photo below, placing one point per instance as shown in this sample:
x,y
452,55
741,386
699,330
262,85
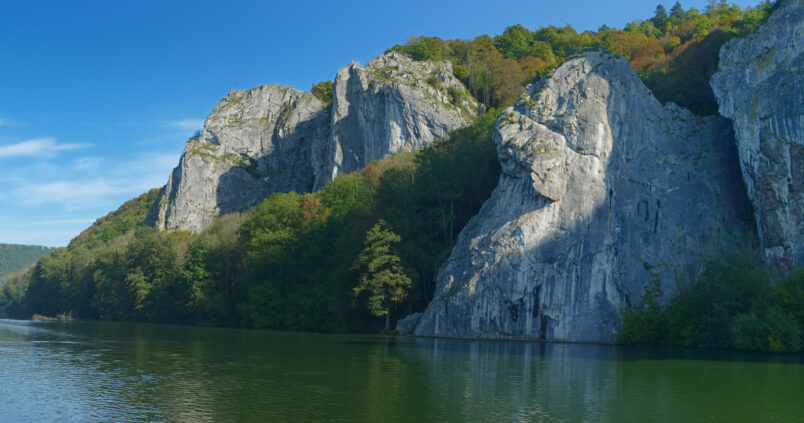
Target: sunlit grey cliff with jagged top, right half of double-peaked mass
x,y
391,104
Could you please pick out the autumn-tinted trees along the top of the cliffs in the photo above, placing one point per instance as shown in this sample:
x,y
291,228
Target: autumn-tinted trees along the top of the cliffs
x,y
674,53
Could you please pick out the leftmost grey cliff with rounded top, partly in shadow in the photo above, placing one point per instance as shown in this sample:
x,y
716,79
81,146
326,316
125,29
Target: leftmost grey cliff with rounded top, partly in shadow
x,y
256,142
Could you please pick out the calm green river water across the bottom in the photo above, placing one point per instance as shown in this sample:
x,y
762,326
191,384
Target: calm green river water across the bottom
x,y
99,372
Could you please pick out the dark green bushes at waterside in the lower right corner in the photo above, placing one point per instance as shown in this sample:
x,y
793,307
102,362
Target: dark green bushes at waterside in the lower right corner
x,y
733,303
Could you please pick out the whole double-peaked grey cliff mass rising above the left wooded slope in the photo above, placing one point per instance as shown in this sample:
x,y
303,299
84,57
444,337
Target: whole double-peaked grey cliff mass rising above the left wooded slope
x,y
279,139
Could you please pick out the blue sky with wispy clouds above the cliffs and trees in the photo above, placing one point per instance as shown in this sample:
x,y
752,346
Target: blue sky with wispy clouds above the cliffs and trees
x,y
98,97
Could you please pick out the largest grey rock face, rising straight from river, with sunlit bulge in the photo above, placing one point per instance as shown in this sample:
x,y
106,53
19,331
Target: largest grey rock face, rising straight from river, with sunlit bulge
x,y
604,192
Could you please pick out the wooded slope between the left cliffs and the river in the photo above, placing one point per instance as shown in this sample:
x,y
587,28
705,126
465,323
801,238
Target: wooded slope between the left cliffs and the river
x,y
293,262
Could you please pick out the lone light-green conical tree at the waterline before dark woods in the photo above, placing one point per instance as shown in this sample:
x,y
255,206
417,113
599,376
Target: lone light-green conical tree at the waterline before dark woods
x,y
382,275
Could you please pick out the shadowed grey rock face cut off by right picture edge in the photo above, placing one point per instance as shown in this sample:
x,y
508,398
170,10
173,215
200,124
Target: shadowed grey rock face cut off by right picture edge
x,y
760,86
